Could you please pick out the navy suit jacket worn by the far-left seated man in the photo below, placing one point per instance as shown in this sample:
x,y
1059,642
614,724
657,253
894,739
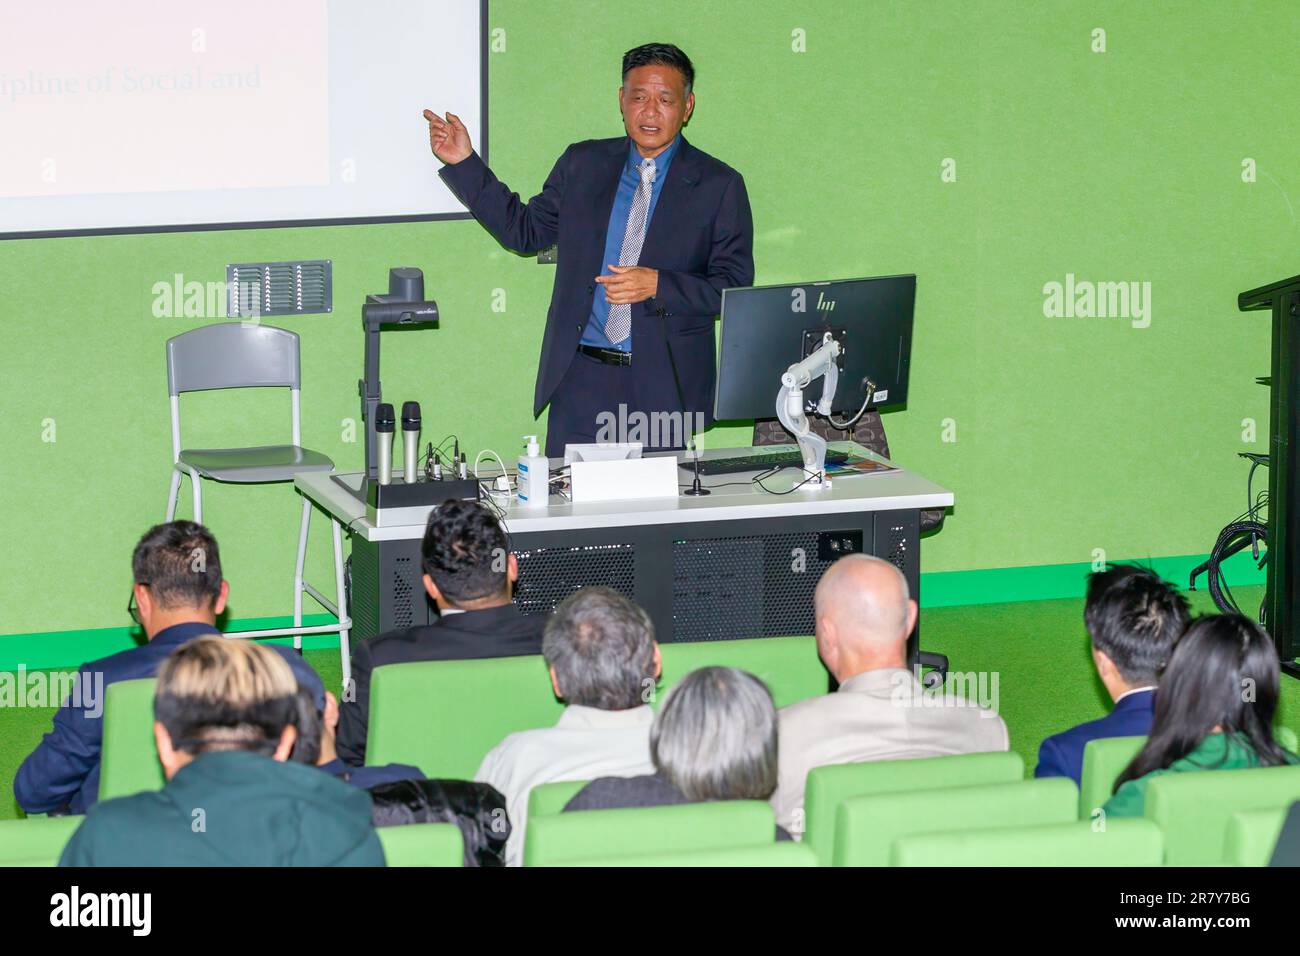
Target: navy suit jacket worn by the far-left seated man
x,y
64,768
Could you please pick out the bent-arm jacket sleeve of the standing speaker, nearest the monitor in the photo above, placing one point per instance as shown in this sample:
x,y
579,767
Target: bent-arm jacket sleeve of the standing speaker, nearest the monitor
x,y
731,261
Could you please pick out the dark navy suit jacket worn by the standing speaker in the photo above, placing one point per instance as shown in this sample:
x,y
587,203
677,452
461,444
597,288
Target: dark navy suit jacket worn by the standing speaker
x,y
701,240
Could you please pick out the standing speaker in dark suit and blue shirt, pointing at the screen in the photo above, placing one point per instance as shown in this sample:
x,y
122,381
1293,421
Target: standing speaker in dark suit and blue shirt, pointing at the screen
x,y
651,231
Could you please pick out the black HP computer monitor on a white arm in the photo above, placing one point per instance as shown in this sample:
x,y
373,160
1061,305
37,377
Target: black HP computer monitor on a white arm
x,y
766,330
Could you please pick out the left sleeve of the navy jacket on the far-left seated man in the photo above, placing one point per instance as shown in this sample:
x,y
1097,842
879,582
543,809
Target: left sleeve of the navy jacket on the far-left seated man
x,y
58,769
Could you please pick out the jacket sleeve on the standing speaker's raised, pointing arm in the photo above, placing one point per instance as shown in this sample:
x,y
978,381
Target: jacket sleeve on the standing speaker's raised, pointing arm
x,y
521,227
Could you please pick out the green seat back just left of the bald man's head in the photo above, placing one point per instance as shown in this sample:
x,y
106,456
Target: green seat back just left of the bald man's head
x,y
790,667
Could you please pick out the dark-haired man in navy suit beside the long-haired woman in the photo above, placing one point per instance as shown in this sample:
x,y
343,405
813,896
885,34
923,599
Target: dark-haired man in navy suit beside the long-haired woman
x,y
1134,620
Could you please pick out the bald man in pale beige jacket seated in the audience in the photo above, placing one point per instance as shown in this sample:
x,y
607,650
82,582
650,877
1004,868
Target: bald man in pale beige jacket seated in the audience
x,y
864,617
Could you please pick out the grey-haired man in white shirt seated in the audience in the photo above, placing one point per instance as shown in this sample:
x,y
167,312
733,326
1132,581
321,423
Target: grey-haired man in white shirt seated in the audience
x,y
604,661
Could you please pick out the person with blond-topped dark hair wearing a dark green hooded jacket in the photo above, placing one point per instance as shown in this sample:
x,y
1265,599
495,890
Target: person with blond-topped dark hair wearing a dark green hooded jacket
x,y
224,724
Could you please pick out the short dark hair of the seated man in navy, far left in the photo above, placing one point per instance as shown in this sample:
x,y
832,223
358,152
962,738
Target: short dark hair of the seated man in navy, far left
x,y
180,564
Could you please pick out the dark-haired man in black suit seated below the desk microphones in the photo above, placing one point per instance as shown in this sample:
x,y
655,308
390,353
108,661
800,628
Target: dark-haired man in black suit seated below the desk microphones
x,y
469,572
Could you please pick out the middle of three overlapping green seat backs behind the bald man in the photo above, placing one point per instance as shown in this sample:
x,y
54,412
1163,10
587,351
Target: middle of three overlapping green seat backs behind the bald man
x,y
866,828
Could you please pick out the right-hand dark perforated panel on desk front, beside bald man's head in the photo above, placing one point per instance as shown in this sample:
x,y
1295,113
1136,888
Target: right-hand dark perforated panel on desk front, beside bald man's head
x,y
726,589
